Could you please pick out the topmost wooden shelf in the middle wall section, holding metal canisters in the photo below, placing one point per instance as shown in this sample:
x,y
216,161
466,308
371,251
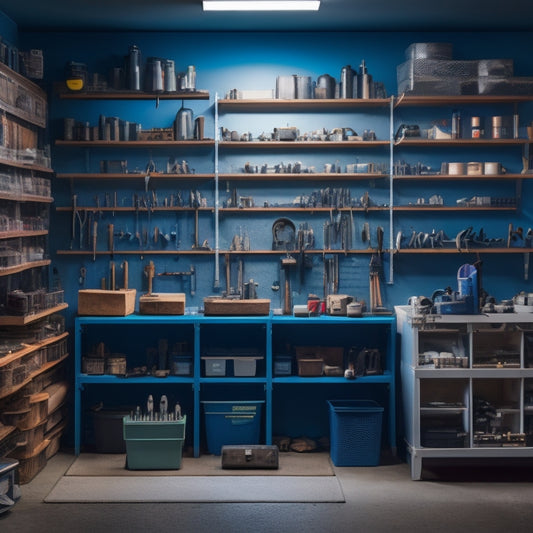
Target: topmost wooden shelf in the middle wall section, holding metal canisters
x,y
300,105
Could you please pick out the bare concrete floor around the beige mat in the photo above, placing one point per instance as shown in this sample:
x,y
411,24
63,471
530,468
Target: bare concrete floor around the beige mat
x,y
378,499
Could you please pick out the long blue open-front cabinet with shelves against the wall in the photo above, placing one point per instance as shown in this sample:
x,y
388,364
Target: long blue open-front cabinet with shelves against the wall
x,y
246,348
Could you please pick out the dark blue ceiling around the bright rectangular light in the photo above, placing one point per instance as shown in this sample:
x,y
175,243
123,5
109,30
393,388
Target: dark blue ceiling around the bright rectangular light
x,y
334,15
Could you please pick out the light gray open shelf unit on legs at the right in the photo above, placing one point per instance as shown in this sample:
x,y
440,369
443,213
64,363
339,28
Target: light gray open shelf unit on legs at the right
x,y
433,396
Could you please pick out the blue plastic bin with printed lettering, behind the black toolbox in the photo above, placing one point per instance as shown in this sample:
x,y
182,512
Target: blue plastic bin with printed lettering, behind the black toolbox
x,y
231,422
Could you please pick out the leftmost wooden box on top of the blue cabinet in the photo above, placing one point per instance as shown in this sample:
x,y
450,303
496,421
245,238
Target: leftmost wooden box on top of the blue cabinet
x,y
99,302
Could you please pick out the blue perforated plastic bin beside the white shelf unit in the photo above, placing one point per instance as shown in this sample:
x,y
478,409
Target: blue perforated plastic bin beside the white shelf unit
x,y
355,432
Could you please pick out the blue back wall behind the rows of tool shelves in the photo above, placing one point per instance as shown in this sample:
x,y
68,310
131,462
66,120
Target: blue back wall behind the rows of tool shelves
x,y
253,61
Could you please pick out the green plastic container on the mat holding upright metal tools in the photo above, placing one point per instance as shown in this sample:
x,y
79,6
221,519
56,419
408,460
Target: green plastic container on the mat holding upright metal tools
x,y
154,445
